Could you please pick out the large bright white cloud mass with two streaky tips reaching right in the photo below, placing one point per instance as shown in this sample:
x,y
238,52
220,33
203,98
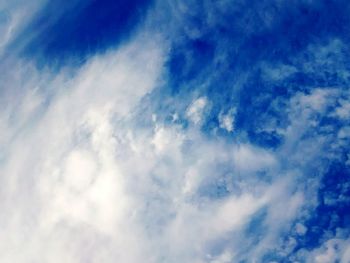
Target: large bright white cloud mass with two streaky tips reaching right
x,y
82,171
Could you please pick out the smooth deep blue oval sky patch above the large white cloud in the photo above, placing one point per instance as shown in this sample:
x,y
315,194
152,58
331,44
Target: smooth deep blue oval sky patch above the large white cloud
x,y
76,29
